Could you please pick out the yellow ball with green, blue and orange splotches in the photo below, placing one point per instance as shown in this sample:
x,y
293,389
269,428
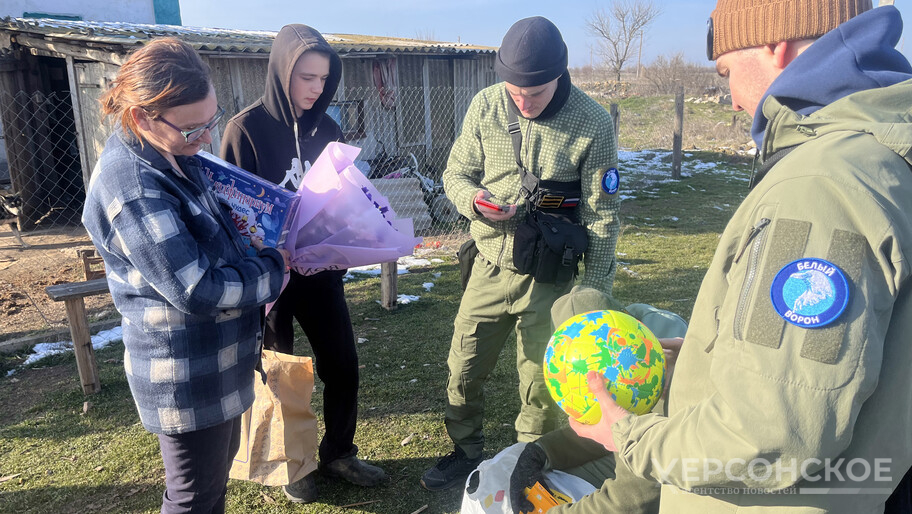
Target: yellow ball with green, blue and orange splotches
x,y
616,345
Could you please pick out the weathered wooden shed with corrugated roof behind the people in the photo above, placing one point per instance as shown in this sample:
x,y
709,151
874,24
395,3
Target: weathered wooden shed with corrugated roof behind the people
x,y
398,96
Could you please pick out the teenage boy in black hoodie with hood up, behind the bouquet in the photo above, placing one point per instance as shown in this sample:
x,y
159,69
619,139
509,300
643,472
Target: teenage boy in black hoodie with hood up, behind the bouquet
x,y
278,138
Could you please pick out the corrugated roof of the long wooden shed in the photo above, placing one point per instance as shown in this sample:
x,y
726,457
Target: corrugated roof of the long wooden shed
x,y
218,40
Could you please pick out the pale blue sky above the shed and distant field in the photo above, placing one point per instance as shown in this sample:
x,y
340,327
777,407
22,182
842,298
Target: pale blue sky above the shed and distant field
x,y
680,28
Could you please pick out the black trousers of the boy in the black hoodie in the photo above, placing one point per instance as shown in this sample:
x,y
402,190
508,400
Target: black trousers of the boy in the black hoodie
x,y
317,302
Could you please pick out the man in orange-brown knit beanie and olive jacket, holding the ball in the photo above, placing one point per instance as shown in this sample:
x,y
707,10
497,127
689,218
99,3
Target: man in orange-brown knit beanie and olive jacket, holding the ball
x,y
792,391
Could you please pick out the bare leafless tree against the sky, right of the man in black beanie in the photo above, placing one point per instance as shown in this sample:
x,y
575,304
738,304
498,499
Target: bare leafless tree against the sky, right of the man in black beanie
x,y
619,28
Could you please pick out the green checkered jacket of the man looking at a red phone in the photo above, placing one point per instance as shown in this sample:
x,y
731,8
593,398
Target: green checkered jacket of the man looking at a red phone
x,y
577,143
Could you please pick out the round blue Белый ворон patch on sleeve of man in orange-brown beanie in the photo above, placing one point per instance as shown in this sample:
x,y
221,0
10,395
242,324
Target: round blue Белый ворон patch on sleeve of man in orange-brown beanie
x,y
810,292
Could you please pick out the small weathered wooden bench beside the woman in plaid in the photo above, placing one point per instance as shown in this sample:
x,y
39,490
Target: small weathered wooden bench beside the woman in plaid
x,y
73,295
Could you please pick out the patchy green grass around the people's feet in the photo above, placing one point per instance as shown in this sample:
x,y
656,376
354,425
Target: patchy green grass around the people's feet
x,y
56,458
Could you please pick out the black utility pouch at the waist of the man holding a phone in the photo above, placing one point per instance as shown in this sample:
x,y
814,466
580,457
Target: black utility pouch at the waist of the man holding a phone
x,y
549,246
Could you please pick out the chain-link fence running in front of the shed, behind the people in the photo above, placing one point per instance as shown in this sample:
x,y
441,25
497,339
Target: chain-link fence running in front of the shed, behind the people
x,y
405,134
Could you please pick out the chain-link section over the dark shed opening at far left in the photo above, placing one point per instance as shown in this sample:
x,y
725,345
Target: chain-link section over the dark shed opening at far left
x,y
42,154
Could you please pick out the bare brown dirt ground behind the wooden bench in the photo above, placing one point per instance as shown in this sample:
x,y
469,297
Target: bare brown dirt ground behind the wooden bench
x,y
24,273
